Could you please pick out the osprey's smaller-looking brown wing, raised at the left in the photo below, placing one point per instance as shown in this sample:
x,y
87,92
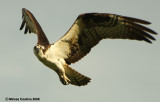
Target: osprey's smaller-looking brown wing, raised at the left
x,y
33,27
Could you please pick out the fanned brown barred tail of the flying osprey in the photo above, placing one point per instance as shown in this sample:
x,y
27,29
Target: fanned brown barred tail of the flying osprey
x,y
75,77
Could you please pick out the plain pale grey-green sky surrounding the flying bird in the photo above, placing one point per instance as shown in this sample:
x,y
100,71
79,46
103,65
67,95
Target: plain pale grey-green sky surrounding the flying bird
x,y
121,70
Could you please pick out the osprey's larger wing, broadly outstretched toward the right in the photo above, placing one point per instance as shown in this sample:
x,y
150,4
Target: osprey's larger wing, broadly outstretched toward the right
x,y
90,28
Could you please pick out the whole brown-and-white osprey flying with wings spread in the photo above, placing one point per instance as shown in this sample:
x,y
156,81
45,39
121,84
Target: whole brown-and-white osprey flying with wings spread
x,y
86,32
